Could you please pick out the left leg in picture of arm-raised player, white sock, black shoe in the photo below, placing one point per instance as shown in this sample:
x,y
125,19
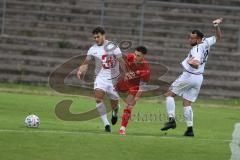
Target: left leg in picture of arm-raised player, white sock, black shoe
x,y
170,106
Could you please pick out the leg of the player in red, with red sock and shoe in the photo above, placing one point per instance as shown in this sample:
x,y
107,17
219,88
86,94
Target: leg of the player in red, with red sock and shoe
x,y
130,103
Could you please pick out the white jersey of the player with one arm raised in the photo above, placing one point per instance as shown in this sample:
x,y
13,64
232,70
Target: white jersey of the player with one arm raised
x,y
199,52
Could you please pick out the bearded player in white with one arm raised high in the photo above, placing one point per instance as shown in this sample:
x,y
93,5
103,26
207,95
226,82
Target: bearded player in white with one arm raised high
x,y
189,83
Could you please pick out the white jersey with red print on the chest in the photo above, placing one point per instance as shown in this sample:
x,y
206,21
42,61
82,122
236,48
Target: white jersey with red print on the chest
x,y
106,63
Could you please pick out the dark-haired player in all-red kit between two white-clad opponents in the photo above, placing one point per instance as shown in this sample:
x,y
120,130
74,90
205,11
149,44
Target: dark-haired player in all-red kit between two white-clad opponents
x,y
138,75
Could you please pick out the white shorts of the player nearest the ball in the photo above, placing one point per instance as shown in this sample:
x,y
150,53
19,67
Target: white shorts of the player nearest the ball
x,y
107,86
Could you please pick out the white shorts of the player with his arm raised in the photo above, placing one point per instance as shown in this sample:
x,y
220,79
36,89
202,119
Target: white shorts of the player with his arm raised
x,y
187,86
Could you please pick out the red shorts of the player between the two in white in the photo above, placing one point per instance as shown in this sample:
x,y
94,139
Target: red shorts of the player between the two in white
x,y
124,86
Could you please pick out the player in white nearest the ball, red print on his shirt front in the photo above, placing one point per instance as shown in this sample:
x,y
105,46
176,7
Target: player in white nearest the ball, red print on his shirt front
x,y
107,57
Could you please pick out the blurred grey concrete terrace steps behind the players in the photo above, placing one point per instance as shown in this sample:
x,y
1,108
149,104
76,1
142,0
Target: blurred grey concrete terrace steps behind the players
x,y
40,35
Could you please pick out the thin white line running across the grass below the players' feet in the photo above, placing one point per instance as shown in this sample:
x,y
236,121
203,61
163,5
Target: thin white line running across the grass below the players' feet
x,y
107,134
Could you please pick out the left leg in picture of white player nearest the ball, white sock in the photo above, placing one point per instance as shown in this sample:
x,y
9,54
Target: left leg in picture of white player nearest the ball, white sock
x,y
99,96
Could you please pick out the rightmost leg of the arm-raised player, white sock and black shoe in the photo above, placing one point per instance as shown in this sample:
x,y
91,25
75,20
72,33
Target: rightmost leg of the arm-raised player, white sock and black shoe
x,y
188,116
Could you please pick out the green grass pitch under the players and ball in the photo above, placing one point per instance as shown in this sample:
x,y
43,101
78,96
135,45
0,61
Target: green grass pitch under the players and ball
x,y
60,140
